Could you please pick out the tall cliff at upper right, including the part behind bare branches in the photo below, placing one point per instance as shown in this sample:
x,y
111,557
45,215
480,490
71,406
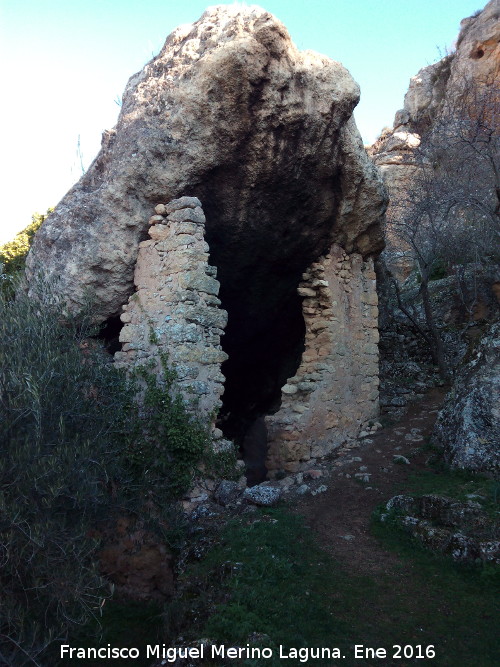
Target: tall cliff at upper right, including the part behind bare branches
x,y
449,126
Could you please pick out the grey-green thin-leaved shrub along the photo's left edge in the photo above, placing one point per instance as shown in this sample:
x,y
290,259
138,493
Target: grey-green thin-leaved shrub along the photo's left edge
x,y
59,445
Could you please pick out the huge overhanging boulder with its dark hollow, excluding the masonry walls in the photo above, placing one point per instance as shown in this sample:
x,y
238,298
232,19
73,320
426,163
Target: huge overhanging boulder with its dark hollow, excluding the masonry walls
x,y
231,112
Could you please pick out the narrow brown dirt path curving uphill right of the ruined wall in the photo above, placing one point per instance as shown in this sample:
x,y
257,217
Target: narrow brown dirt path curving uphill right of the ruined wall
x,y
341,515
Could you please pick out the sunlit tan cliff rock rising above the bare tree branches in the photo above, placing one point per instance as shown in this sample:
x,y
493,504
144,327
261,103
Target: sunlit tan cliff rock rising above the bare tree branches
x,y
457,86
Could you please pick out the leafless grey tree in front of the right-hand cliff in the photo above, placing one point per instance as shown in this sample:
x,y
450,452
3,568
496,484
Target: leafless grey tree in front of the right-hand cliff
x,y
450,213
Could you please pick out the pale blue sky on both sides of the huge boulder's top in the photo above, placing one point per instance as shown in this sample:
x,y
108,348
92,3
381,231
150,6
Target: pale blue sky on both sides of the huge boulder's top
x,y
65,62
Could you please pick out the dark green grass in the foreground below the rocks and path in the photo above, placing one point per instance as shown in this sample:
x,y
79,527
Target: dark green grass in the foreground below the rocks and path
x,y
266,581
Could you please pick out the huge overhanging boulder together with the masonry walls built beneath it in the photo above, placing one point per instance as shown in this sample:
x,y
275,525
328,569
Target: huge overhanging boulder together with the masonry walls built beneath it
x,y
231,112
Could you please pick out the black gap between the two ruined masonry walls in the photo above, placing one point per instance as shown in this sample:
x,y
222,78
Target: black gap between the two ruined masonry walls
x,y
265,334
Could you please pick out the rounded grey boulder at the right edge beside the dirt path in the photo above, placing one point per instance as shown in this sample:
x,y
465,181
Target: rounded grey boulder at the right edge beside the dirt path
x,y
468,426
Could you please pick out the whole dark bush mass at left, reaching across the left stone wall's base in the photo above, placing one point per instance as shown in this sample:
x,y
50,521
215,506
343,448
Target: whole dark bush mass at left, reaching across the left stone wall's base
x,y
75,447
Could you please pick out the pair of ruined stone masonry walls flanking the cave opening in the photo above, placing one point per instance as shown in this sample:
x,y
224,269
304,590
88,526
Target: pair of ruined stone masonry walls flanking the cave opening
x,y
334,390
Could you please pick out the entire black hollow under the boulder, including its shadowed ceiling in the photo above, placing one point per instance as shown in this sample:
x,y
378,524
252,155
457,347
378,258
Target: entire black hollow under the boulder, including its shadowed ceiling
x,y
261,239
